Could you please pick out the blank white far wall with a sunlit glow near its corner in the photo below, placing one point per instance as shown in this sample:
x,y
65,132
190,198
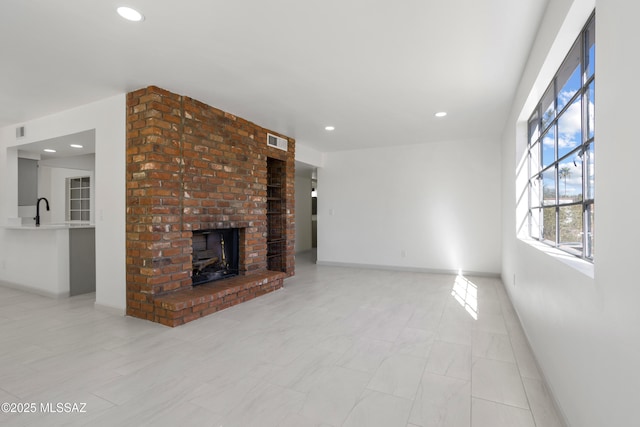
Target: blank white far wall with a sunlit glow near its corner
x,y
432,206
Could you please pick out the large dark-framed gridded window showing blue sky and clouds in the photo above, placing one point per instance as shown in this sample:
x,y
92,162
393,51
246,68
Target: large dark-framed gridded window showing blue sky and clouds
x,y
561,154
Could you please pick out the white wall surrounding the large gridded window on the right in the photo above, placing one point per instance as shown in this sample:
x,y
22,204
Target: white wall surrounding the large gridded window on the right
x,y
584,331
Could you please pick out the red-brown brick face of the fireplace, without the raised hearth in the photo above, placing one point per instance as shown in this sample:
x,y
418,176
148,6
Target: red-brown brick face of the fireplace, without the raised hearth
x,y
191,166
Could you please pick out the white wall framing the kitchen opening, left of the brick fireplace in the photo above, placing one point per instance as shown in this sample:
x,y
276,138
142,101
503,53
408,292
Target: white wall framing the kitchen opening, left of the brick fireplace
x,y
108,118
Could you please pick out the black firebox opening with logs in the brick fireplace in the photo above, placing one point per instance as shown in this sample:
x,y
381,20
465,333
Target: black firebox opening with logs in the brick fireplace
x,y
215,255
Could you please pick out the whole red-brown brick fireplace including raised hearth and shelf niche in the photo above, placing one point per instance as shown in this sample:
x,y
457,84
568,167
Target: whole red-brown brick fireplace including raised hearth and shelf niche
x,y
192,167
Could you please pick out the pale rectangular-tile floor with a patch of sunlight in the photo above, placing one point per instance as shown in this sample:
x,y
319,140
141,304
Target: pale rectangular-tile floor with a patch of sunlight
x,y
335,347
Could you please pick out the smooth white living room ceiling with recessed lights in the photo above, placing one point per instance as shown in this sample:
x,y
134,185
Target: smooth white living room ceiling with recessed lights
x,y
377,70
